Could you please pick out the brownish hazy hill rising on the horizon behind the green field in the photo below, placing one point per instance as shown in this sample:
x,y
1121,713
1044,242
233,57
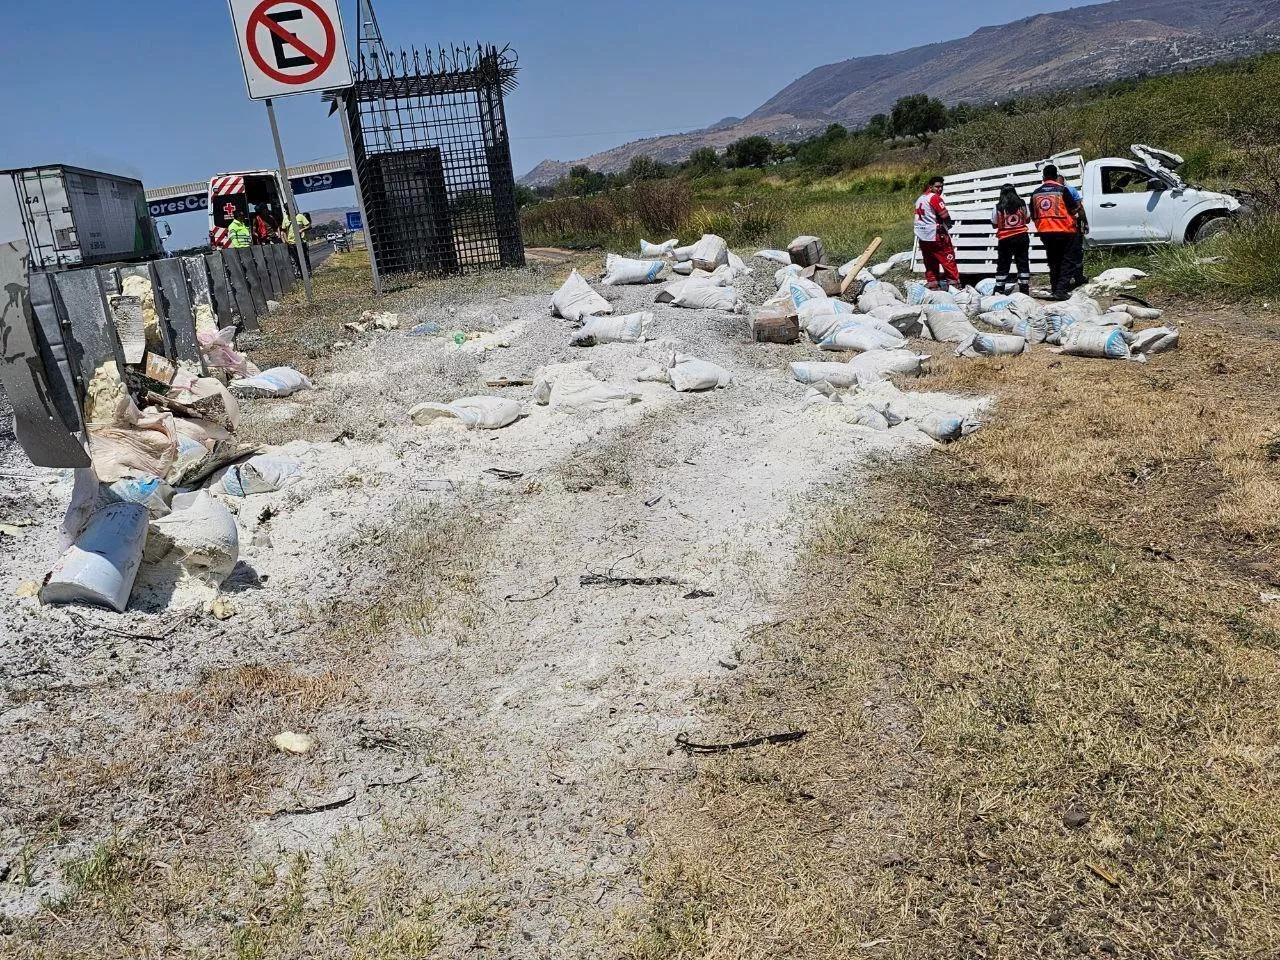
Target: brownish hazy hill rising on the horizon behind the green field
x,y
1039,54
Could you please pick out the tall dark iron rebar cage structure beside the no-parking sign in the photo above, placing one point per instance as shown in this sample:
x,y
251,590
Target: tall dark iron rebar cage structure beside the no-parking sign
x,y
433,154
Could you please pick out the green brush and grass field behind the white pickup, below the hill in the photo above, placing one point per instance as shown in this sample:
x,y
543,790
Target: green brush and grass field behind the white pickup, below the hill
x,y
851,186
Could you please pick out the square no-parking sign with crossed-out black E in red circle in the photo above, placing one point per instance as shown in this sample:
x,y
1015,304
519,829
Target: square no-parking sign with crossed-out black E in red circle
x,y
291,47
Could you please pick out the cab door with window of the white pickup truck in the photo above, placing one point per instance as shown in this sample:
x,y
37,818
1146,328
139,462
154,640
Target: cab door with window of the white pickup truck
x,y
1130,204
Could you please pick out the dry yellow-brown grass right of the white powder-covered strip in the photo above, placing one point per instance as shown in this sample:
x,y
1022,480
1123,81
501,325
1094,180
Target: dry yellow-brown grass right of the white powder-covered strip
x,y
1041,688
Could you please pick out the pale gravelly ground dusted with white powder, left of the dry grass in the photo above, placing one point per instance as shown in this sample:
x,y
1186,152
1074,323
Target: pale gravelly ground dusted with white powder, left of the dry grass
x,y
500,726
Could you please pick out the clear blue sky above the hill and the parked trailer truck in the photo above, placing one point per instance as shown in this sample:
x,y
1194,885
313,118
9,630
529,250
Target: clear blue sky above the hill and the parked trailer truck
x,y
154,90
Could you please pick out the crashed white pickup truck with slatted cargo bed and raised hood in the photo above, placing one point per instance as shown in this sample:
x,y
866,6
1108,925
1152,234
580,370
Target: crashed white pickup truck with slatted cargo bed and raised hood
x,y
1128,203
